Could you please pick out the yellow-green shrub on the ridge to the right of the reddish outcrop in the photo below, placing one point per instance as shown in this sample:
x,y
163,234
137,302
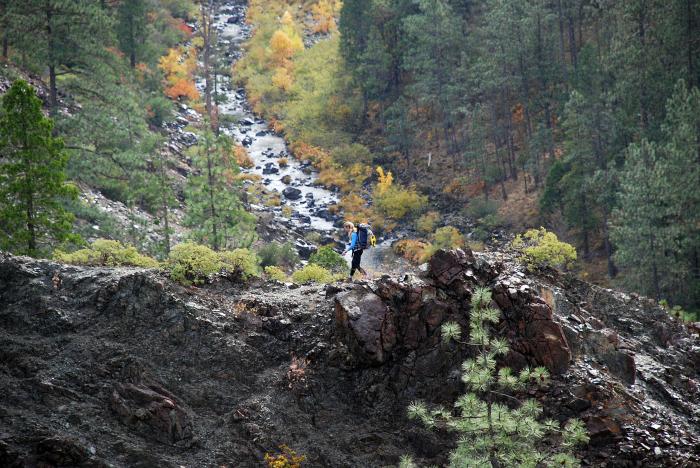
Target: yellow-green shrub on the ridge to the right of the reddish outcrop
x,y
540,248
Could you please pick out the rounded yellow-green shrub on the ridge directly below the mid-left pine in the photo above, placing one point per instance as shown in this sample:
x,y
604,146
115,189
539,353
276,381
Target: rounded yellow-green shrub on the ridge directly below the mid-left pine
x,y
192,263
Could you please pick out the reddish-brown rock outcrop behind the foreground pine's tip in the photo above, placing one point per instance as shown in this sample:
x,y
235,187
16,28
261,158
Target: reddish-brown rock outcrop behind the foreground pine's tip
x,y
406,315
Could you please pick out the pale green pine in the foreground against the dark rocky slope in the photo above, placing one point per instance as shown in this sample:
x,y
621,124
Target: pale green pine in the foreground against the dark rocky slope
x,y
495,427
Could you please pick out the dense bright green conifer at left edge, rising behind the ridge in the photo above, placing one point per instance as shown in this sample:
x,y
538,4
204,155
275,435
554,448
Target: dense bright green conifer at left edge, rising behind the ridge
x,y
32,176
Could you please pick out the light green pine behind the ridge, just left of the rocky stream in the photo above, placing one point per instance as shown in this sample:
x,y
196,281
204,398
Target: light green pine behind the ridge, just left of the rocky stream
x,y
214,210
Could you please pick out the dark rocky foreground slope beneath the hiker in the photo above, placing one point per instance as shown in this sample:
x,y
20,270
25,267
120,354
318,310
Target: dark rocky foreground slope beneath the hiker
x,y
121,367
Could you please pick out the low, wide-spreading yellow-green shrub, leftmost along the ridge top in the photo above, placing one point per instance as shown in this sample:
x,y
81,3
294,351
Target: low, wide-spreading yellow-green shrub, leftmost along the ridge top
x,y
106,252
